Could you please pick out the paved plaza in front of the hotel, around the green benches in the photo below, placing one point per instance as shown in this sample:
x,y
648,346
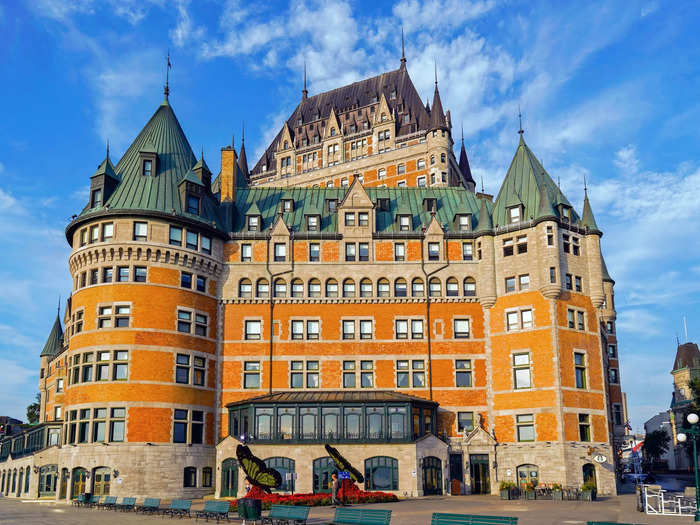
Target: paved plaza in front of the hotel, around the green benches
x,y
407,512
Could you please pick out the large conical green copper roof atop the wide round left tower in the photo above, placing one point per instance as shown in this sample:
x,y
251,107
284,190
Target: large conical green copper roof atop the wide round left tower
x,y
159,192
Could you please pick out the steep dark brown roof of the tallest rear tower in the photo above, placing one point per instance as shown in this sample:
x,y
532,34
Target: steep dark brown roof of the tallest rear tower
x,y
352,98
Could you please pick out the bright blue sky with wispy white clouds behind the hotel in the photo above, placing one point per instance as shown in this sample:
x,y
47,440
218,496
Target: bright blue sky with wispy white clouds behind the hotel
x,y
608,91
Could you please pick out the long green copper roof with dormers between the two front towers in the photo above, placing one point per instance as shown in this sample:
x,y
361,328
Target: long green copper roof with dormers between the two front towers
x,y
308,201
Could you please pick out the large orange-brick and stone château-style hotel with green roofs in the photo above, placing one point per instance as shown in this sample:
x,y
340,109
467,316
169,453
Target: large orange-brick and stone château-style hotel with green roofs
x,y
351,288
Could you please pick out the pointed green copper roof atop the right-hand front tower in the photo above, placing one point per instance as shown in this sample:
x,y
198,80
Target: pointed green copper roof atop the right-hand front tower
x,y
522,185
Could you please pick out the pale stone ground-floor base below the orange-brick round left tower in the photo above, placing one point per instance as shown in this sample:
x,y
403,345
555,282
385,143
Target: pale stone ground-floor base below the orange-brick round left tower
x,y
123,470
